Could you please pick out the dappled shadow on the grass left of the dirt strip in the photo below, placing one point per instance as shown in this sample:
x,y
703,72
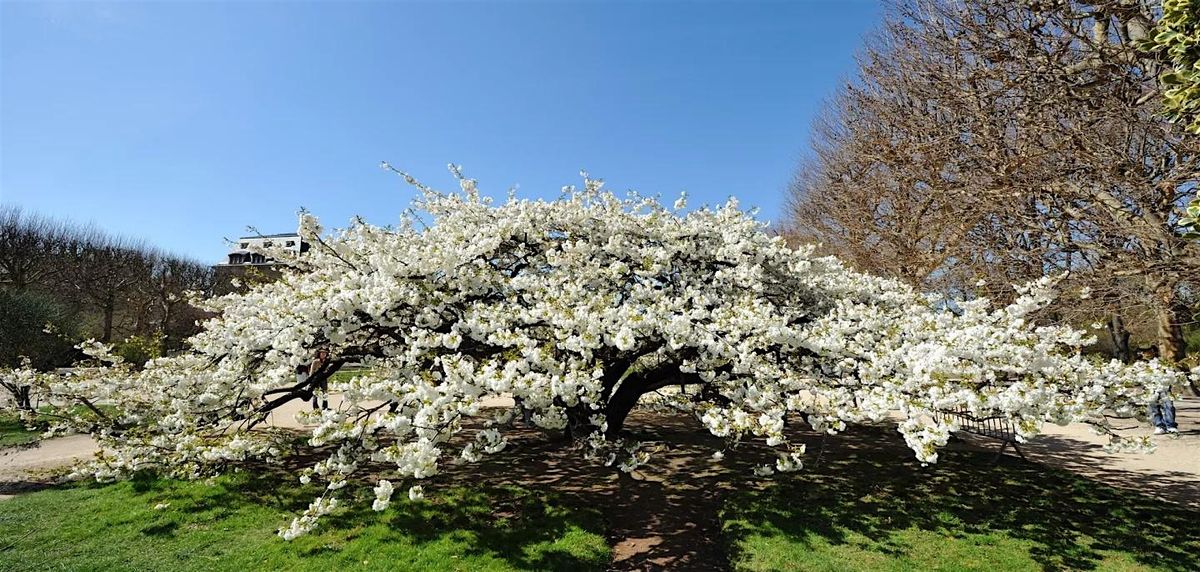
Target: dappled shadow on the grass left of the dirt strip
x,y
527,529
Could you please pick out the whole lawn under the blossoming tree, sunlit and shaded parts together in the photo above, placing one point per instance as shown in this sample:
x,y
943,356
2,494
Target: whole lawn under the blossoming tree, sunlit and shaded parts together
x,y
866,505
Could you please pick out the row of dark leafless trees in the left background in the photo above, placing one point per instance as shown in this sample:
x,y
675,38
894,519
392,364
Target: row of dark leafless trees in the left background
x,y
88,285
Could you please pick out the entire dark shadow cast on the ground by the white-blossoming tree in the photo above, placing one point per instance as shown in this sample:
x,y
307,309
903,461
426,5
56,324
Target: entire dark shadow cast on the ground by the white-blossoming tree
x,y
686,511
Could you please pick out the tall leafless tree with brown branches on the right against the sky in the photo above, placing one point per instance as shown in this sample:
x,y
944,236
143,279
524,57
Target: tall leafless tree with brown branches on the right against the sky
x,y
987,143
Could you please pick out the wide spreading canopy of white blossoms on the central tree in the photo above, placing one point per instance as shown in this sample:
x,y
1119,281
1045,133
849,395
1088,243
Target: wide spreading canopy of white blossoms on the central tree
x,y
577,309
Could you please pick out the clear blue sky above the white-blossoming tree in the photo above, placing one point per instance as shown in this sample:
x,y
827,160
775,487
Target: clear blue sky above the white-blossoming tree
x,y
184,123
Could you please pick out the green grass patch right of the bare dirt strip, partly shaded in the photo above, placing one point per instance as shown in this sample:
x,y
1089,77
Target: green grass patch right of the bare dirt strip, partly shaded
x,y
959,515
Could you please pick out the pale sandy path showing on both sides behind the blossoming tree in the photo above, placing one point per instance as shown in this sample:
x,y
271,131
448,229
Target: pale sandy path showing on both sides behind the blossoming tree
x,y
1173,473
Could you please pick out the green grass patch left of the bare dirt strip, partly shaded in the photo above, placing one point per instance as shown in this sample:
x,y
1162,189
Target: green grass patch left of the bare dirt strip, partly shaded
x,y
231,525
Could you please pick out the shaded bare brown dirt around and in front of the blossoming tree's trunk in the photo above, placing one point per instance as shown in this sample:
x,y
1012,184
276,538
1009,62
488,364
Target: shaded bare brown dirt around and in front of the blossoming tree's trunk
x,y
667,516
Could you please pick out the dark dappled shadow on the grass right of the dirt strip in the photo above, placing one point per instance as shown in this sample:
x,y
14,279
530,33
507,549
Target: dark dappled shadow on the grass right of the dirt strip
x,y
866,490
